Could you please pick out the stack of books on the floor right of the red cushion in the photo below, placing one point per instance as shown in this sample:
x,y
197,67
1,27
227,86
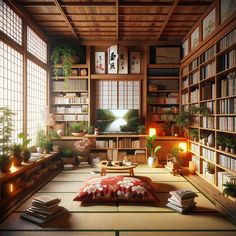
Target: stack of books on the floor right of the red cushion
x,y
182,201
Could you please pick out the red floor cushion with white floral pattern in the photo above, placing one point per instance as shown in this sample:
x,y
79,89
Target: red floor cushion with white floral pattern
x,y
116,189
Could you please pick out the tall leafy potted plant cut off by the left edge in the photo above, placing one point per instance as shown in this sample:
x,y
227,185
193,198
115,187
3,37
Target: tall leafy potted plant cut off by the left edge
x,y
6,128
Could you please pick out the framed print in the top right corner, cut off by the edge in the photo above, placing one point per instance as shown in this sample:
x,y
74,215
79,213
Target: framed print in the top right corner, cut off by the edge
x,y
227,7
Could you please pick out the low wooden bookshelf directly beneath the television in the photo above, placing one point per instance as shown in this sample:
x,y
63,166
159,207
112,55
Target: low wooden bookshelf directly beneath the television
x,y
118,146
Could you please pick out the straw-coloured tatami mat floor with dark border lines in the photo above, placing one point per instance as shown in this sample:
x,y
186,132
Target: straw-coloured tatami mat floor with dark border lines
x,y
122,220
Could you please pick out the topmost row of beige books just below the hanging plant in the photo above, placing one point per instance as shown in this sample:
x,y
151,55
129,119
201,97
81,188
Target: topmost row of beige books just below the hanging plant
x,y
81,84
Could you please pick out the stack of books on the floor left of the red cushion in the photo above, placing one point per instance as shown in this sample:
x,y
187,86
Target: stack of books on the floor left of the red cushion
x,y
43,209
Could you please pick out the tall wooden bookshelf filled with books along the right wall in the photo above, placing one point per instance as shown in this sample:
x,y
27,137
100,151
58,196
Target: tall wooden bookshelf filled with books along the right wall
x,y
208,80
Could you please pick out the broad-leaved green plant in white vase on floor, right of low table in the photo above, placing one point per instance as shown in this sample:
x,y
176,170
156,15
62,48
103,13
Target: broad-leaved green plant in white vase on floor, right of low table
x,y
152,150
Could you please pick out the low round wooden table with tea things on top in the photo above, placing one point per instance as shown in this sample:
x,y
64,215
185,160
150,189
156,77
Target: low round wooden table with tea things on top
x,y
116,167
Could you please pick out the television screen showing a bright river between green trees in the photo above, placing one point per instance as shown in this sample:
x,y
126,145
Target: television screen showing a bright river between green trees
x,y
115,121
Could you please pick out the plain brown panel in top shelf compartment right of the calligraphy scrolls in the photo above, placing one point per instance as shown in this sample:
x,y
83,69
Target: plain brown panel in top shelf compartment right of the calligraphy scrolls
x,y
166,55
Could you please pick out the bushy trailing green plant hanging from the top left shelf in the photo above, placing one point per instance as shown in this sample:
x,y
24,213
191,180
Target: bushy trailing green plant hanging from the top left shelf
x,y
66,55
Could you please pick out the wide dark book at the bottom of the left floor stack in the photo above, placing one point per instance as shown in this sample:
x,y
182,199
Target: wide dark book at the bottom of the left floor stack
x,y
39,221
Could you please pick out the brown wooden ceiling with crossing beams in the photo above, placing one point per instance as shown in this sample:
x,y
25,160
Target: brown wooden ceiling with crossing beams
x,y
143,20
